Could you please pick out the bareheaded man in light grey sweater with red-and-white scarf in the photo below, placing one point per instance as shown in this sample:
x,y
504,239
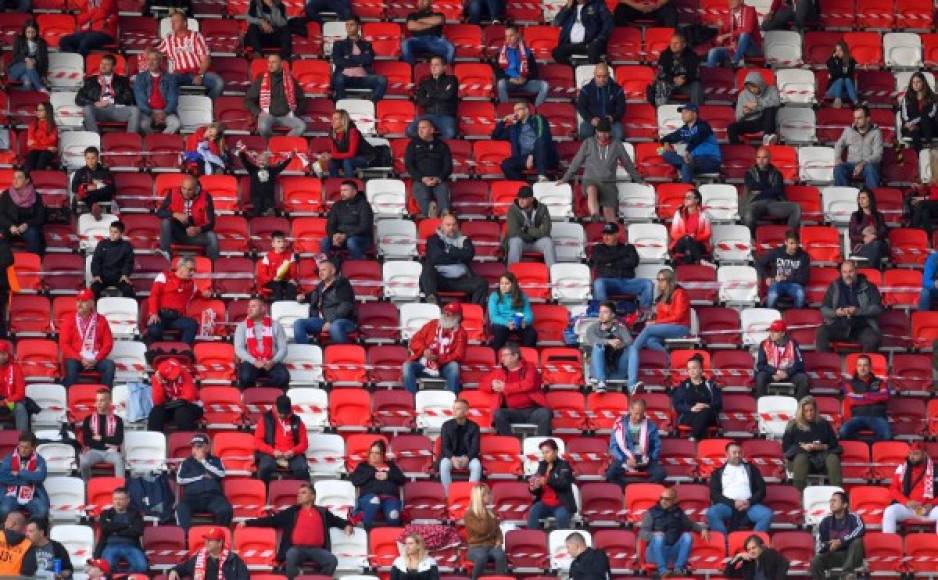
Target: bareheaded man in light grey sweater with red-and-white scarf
x,y
260,347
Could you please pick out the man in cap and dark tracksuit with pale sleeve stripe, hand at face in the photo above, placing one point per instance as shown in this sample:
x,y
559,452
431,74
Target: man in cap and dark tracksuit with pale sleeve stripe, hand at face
x,y
200,477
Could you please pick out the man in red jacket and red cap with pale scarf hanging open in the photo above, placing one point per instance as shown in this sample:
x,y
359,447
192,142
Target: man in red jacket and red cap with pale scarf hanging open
x,y
85,342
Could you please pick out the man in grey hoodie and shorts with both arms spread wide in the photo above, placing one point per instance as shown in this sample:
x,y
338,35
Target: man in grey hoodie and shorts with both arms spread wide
x,y
599,156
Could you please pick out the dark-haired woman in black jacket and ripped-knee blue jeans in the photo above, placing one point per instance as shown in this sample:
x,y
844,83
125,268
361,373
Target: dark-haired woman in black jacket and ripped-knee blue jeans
x,y
379,482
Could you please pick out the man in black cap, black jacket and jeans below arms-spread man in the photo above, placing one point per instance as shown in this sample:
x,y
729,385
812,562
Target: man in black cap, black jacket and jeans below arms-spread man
x,y
614,264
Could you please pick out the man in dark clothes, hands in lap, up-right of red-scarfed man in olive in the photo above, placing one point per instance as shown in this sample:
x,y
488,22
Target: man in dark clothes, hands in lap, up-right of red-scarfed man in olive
x,y
353,58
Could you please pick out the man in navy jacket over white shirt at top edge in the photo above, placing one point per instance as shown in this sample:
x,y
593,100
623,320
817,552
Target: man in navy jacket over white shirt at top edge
x,y
585,27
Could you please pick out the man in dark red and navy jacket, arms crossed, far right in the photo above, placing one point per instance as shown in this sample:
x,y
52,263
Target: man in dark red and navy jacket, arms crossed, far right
x,y
867,398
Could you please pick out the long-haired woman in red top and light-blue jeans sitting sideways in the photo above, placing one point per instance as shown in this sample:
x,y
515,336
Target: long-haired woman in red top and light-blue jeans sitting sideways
x,y
671,319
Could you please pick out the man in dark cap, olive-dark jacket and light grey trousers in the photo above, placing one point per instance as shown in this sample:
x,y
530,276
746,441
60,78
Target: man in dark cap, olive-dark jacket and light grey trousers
x,y
528,228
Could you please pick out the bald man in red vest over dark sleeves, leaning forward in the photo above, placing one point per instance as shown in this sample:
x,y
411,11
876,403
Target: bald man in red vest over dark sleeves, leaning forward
x,y
187,217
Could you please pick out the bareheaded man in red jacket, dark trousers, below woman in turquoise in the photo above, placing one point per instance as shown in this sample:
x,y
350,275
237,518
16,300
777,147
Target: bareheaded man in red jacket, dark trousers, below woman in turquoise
x,y
518,384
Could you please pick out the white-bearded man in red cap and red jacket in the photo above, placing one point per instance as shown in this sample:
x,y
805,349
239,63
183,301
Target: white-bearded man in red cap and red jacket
x,y
436,350
